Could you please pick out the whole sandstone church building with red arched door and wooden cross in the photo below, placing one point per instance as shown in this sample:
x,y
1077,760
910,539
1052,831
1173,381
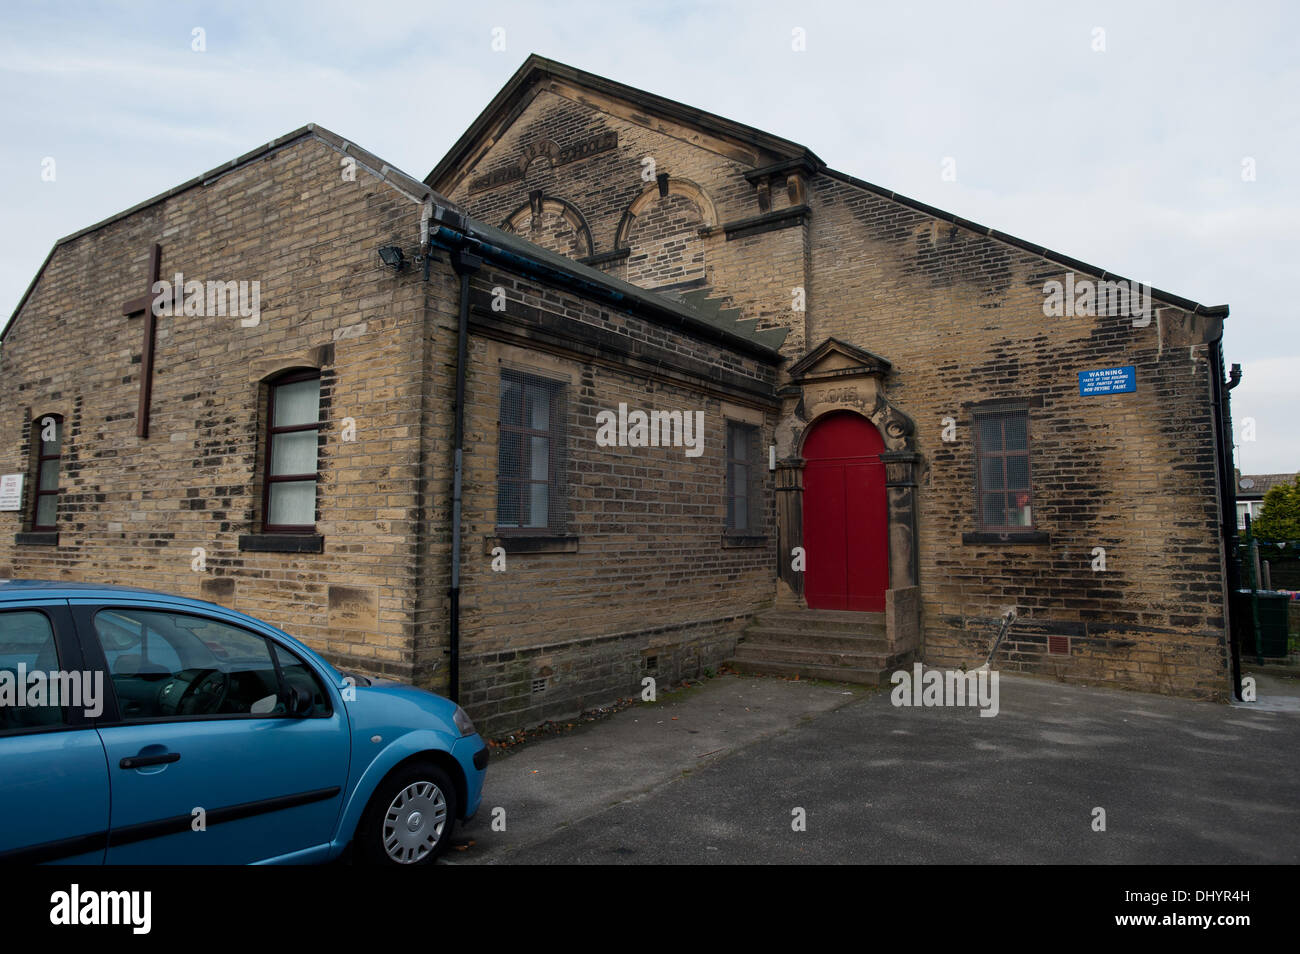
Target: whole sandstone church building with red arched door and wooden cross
x,y
721,404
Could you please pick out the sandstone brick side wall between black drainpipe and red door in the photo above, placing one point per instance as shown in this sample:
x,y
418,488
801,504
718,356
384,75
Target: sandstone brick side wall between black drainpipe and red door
x,y
649,584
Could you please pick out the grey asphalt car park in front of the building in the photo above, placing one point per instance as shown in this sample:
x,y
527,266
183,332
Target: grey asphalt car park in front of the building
x,y
714,775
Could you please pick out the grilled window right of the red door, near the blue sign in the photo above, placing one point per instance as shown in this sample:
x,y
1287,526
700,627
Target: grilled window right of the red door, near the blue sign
x,y
1004,489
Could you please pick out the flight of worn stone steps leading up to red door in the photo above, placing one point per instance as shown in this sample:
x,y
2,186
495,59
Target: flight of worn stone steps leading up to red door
x,y
818,644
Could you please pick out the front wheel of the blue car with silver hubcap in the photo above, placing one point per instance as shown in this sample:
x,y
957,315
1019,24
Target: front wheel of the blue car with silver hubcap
x,y
410,818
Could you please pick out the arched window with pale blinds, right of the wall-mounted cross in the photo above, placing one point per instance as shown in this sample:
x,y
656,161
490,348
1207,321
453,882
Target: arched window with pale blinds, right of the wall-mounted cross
x,y
293,414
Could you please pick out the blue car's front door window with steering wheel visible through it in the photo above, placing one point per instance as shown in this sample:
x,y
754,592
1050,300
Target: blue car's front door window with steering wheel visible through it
x,y
171,665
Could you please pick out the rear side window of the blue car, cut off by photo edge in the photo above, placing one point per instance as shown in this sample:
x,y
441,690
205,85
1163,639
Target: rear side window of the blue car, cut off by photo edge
x,y
27,647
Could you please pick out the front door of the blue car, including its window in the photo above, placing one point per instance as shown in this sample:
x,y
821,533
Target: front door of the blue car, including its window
x,y
206,764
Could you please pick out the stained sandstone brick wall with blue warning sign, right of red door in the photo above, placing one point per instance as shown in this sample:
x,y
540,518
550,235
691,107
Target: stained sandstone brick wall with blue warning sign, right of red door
x,y
961,319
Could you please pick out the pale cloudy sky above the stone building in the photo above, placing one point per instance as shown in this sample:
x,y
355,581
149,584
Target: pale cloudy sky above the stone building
x,y
1159,141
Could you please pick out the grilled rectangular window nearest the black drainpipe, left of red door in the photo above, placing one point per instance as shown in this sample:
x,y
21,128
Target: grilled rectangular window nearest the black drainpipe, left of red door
x,y
531,457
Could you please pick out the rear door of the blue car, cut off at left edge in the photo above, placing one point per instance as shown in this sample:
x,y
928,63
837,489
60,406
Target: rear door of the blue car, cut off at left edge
x,y
54,778
